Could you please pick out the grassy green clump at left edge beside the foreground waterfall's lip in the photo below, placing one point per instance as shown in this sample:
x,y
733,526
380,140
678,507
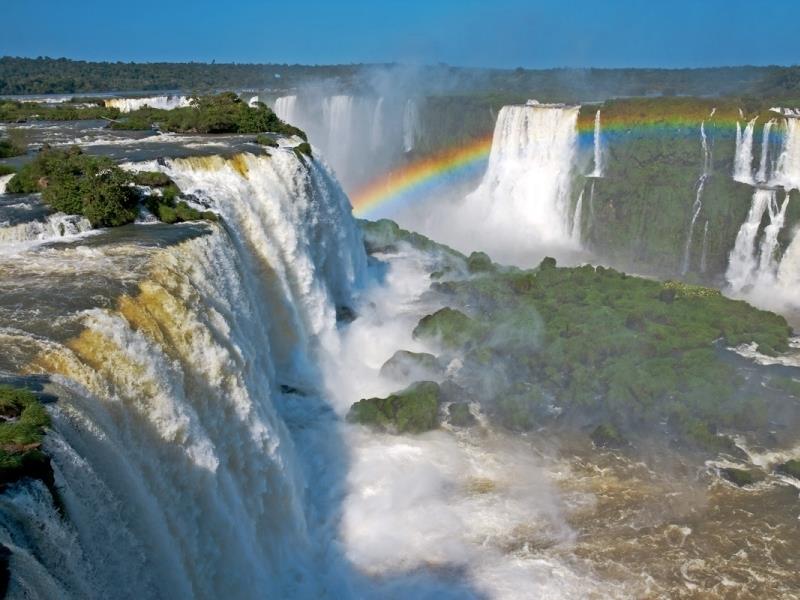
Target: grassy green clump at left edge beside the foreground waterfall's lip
x,y
22,423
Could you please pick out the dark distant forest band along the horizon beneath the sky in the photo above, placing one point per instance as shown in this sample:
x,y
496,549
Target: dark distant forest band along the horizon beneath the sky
x,y
63,76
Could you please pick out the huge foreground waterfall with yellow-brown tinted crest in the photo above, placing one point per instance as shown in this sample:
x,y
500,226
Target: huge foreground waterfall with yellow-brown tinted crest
x,y
171,455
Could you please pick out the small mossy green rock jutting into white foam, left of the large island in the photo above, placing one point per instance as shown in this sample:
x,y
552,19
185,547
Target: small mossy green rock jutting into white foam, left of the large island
x,y
412,410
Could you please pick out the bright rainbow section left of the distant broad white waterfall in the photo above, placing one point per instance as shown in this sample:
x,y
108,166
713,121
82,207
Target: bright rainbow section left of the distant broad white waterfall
x,y
415,179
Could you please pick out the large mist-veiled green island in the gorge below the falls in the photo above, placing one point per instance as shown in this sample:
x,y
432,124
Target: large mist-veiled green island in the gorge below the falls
x,y
596,341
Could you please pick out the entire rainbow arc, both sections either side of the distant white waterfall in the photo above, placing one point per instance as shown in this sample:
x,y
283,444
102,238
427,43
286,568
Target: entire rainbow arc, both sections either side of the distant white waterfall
x,y
419,179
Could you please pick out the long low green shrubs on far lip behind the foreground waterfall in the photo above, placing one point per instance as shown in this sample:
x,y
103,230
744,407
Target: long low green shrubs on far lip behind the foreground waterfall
x,y
219,113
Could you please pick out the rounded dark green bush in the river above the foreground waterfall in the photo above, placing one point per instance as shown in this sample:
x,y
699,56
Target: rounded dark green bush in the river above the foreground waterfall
x,y
79,184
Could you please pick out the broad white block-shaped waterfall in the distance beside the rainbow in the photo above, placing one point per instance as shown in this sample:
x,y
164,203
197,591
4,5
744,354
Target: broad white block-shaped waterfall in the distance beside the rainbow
x,y
524,196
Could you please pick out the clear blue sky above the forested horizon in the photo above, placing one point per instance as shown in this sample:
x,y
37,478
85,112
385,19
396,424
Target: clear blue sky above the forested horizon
x,y
501,33
